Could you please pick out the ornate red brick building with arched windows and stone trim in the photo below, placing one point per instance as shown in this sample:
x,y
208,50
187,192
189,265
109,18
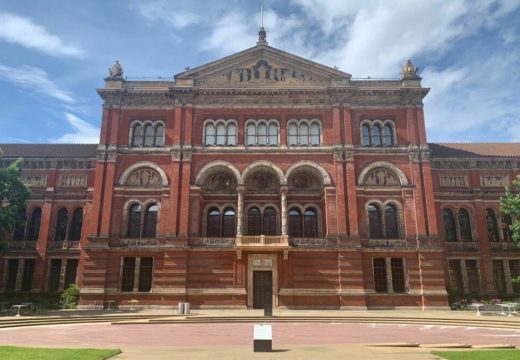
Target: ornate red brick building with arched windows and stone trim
x,y
321,248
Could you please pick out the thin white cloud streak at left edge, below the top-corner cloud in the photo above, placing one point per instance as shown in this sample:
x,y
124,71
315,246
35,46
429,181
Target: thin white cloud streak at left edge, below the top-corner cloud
x,y
35,80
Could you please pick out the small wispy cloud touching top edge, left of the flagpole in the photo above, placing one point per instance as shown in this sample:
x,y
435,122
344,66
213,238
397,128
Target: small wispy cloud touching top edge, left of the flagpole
x,y
167,13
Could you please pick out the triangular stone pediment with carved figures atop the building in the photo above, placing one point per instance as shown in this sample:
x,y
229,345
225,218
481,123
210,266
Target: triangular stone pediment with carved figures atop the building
x,y
262,67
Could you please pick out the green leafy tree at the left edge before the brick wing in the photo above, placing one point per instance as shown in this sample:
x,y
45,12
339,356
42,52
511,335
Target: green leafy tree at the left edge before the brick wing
x,y
13,196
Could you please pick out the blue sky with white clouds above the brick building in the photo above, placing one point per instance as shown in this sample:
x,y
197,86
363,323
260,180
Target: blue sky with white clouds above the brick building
x,y
54,54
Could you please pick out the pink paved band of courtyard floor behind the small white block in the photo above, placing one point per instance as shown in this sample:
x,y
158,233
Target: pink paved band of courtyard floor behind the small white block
x,y
106,335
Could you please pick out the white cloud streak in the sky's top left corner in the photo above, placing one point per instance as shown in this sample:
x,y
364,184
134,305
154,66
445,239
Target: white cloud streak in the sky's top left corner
x,y
23,31
